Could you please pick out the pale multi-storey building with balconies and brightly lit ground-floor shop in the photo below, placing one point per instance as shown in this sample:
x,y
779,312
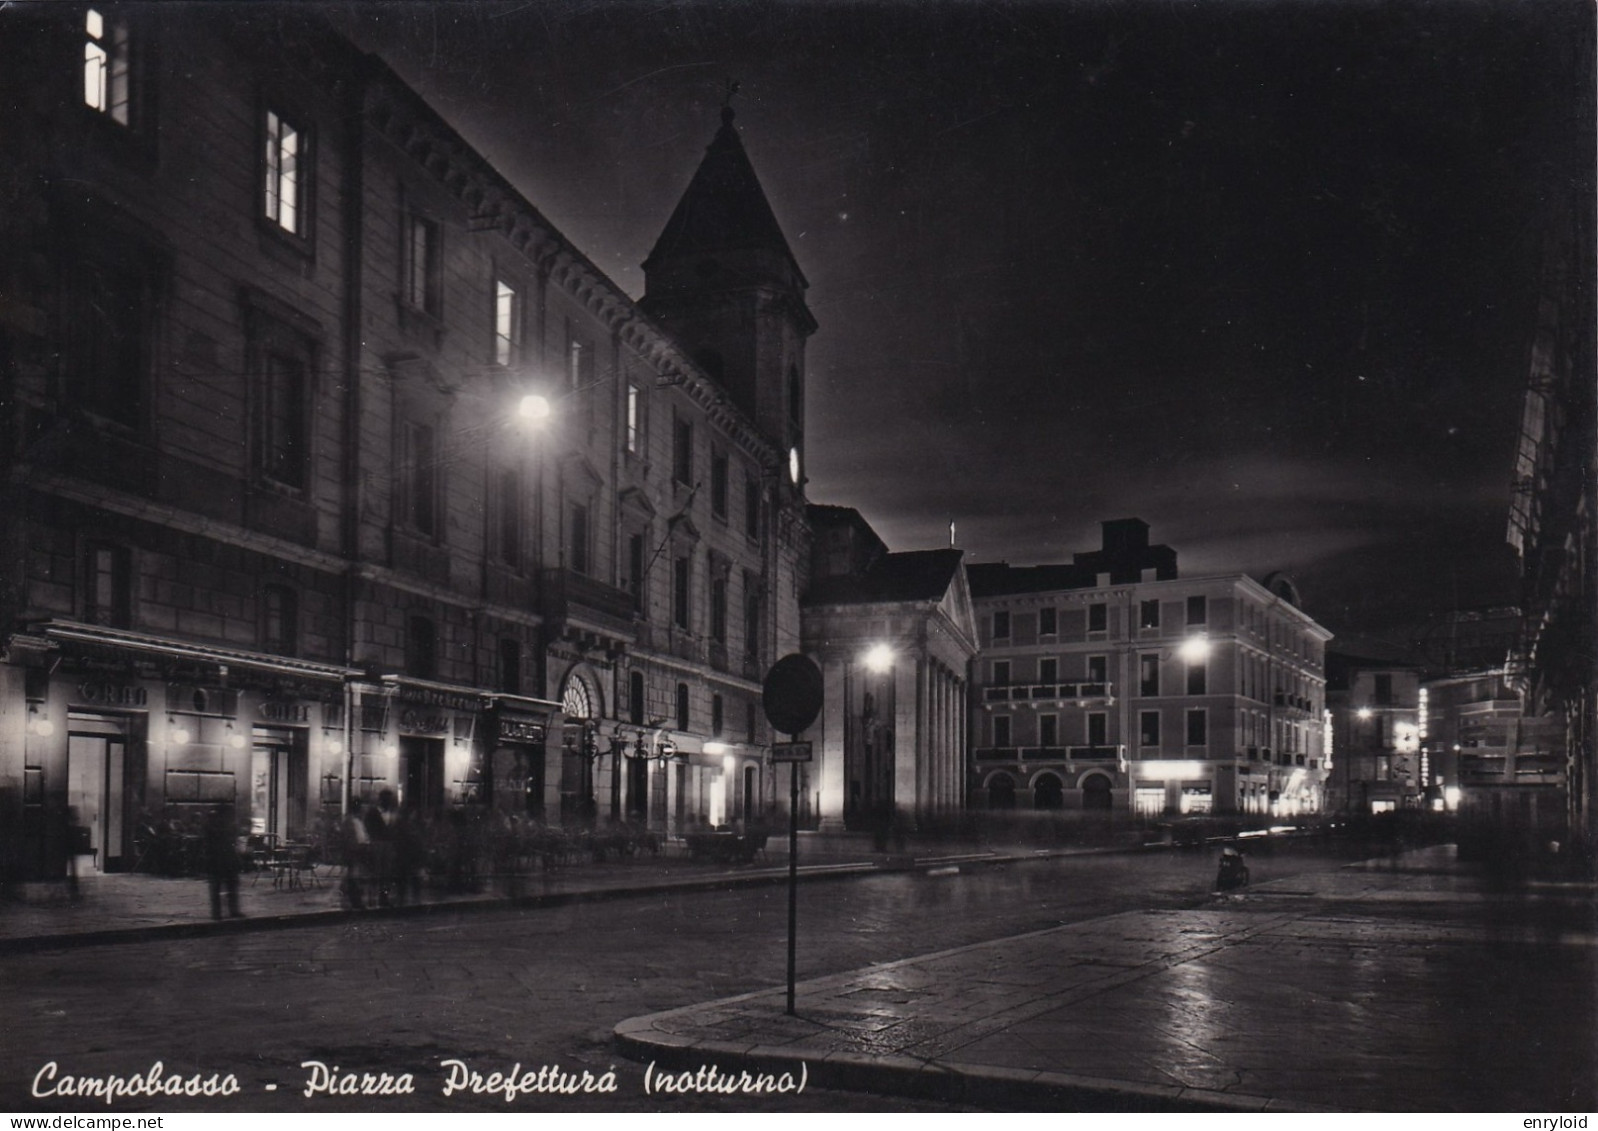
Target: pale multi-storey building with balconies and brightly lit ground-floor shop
x,y
1113,685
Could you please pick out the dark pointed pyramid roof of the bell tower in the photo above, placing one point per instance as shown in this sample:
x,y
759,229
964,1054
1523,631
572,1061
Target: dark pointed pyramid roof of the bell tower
x,y
725,208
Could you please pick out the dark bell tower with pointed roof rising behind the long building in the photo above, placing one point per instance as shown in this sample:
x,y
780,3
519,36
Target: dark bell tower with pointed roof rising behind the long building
x,y
723,282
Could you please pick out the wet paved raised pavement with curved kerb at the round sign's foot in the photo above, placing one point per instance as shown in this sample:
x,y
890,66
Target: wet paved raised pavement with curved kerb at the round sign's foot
x,y
1394,986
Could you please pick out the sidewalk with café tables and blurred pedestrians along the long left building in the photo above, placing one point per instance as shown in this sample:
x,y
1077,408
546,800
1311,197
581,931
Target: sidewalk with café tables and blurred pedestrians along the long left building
x,y
124,908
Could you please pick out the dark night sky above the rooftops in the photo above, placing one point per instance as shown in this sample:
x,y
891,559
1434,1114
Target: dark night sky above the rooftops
x,y
1260,274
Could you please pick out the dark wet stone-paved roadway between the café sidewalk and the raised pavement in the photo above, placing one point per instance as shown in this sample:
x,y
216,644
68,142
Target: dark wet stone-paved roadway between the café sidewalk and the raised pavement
x,y
538,986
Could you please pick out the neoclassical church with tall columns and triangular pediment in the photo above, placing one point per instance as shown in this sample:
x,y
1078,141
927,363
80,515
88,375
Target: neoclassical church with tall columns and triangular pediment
x,y
894,637
